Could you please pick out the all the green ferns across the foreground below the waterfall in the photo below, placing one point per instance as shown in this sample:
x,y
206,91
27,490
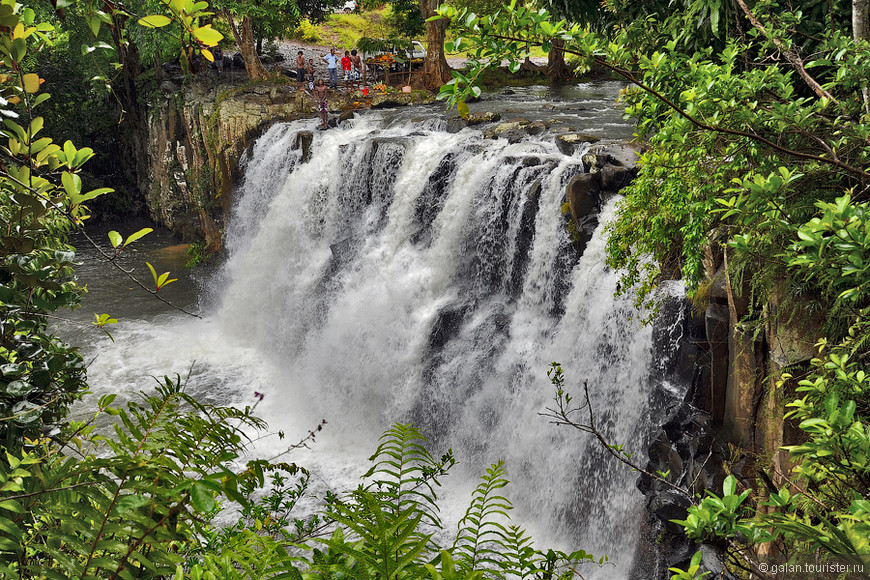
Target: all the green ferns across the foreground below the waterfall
x,y
143,510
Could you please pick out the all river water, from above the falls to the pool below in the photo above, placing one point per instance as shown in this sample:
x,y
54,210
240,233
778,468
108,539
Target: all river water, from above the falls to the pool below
x,y
409,274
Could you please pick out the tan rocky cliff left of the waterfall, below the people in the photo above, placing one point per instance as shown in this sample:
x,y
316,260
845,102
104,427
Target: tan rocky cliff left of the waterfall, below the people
x,y
197,133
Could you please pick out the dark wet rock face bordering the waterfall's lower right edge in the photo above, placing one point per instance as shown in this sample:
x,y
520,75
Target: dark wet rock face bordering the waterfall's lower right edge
x,y
683,446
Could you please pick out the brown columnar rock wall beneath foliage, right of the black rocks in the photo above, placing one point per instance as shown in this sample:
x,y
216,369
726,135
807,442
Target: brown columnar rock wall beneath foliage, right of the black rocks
x,y
731,421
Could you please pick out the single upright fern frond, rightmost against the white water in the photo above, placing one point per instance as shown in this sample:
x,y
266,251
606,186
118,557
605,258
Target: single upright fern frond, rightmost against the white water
x,y
481,538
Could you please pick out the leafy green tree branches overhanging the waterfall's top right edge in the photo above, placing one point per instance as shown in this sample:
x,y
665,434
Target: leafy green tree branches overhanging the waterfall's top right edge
x,y
737,152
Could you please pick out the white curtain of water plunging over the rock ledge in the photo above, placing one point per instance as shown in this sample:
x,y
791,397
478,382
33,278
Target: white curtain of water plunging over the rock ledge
x,y
413,275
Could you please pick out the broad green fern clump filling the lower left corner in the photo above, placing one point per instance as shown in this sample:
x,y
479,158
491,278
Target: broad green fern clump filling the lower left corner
x,y
121,505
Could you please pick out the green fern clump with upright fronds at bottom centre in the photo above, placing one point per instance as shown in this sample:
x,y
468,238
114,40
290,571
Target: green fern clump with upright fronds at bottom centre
x,y
380,530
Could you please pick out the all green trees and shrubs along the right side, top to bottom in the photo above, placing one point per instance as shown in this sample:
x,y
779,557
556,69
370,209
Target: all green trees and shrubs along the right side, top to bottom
x,y
757,125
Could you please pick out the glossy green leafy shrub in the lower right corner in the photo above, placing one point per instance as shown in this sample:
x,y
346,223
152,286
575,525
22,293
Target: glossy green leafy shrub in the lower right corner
x,y
824,509
